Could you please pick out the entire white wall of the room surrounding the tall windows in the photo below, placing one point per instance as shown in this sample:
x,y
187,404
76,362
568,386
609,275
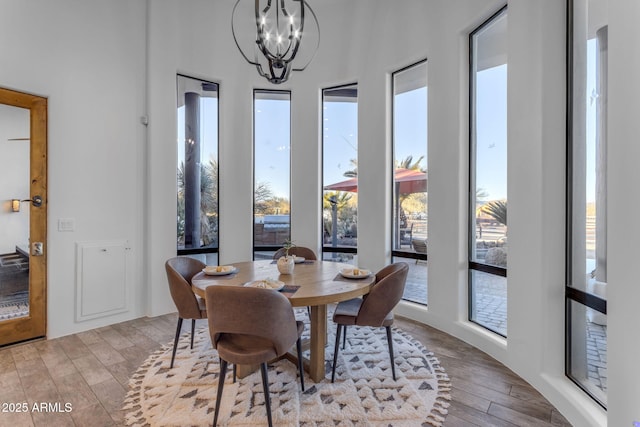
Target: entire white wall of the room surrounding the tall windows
x,y
103,64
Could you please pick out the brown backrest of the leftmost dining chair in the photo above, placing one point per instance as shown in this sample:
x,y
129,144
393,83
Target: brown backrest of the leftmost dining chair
x,y
180,271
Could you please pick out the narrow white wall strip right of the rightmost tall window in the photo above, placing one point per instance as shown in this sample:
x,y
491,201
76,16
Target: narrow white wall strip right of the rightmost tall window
x,y
623,292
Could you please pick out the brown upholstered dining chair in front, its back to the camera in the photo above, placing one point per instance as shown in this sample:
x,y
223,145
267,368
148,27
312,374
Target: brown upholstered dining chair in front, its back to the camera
x,y
250,326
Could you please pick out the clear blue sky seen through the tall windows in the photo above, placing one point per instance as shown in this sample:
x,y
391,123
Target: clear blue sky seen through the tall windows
x,y
340,135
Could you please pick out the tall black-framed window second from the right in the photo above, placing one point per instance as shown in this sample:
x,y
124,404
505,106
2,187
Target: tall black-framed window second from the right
x,y
488,174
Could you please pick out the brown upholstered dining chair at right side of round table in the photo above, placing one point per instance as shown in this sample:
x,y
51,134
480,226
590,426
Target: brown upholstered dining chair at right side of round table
x,y
375,309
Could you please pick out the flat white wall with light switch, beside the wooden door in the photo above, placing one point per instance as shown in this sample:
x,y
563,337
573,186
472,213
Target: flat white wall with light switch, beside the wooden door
x,y
88,59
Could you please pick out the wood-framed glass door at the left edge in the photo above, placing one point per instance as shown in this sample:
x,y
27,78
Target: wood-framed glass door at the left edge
x,y
26,255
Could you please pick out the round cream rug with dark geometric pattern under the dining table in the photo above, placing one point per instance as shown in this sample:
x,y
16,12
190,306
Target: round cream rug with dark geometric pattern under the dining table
x,y
364,393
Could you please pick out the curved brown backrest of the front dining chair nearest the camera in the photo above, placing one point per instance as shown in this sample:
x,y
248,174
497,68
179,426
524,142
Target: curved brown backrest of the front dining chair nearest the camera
x,y
263,313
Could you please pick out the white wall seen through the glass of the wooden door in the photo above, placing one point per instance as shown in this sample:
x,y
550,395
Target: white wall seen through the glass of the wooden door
x,y
14,176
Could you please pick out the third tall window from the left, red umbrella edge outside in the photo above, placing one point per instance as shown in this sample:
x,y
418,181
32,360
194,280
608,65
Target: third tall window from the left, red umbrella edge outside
x,y
340,173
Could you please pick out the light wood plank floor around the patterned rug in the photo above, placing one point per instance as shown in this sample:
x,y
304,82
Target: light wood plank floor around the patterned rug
x,y
90,371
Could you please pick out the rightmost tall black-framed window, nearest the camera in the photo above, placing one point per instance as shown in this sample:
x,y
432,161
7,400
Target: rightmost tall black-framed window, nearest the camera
x,y
587,188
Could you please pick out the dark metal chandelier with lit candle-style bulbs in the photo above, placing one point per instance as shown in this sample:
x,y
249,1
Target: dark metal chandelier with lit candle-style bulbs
x,y
279,29
